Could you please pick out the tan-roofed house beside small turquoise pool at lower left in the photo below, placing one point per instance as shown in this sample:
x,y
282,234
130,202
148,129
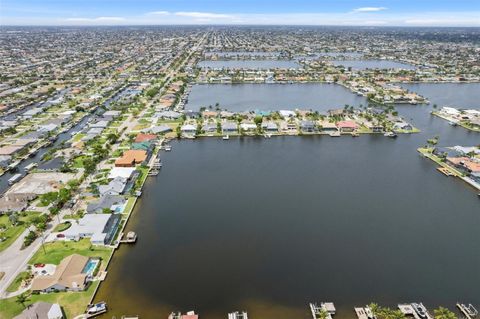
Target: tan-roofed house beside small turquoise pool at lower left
x,y
69,276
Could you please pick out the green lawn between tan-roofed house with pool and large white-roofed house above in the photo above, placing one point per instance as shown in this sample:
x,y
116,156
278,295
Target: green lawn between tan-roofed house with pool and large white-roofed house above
x,y
56,251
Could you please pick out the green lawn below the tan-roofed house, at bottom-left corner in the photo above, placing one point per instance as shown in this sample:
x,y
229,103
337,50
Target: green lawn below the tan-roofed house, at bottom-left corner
x,y
73,303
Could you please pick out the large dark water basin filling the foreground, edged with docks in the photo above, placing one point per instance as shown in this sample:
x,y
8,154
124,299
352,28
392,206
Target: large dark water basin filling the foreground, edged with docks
x,y
268,225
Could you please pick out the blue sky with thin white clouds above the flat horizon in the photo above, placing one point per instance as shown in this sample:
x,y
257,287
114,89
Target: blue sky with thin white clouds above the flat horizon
x,y
245,12
